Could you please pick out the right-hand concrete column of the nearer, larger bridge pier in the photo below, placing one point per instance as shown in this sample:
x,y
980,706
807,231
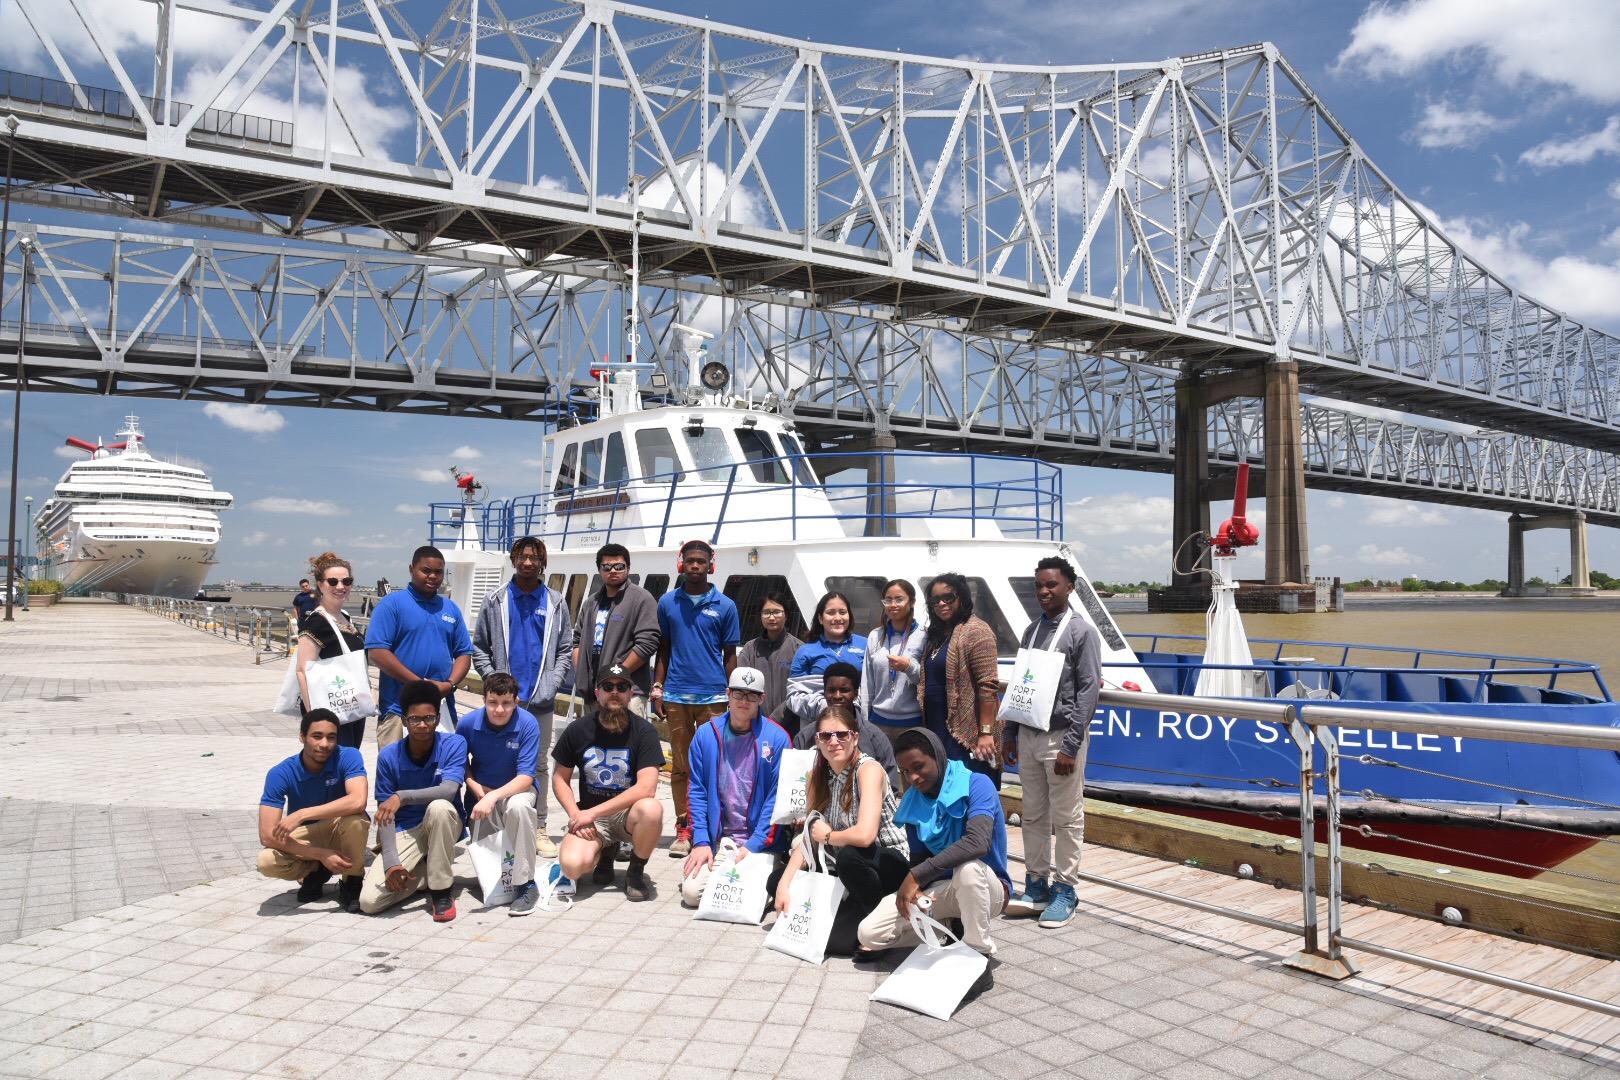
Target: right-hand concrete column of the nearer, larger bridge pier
x,y
1287,538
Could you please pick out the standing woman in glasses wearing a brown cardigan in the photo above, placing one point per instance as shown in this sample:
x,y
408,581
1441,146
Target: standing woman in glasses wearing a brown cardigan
x,y
958,692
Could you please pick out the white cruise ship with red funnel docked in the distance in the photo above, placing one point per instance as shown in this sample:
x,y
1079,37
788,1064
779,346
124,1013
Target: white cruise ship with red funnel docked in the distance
x,y
126,522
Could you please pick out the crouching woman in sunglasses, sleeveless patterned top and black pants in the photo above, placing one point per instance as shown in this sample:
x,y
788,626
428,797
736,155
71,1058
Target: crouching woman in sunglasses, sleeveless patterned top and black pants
x,y
868,851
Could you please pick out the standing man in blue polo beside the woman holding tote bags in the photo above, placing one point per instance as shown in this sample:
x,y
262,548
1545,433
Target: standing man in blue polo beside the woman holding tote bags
x,y
417,634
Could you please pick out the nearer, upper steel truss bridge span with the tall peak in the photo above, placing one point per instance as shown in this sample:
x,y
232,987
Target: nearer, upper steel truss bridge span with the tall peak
x,y
1203,213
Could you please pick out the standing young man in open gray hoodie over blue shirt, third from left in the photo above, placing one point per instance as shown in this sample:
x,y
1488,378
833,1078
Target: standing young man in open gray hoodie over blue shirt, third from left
x,y
524,629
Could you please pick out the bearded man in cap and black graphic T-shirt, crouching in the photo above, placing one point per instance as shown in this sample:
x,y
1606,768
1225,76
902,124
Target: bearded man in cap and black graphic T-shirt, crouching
x,y
618,757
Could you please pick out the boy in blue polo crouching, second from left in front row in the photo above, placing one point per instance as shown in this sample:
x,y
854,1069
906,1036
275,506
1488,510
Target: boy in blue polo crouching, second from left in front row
x,y
419,810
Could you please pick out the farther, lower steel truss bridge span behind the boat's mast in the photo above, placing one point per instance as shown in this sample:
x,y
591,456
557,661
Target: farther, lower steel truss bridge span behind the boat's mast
x,y
236,320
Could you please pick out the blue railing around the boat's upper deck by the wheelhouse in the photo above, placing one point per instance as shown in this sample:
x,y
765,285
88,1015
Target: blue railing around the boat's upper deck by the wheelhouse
x,y
1020,498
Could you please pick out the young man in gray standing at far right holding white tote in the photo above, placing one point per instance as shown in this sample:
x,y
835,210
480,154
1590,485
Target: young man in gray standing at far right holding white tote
x,y
1052,763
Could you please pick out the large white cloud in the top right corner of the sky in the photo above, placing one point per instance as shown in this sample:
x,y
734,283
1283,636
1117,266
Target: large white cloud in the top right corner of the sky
x,y
1569,45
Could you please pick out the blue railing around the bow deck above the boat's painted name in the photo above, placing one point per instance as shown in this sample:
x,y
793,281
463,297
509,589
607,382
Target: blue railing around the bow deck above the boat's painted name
x,y
1282,655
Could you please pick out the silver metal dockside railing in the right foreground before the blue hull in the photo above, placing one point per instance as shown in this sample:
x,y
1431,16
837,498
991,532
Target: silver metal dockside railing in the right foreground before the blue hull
x,y
1313,783
